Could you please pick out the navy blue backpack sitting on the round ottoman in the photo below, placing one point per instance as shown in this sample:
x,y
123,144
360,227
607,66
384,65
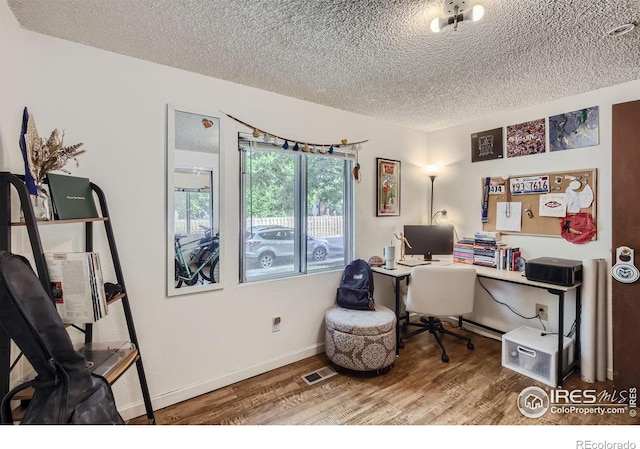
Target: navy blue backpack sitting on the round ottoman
x,y
356,287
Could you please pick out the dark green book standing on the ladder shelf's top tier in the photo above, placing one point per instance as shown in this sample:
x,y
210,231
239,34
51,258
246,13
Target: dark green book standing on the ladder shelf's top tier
x,y
71,196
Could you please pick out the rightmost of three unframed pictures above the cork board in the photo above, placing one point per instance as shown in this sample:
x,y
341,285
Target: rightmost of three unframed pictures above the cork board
x,y
576,129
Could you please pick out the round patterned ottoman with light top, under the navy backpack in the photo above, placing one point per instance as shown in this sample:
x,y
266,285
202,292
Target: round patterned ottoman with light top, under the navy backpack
x,y
361,340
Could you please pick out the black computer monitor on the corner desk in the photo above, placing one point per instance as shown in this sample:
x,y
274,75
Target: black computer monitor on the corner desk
x,y
427,240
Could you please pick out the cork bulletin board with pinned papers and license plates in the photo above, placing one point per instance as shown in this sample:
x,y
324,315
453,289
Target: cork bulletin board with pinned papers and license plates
x,y
527,190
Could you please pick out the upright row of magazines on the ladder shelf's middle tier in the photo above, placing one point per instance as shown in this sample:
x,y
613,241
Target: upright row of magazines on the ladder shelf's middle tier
x,y
77,286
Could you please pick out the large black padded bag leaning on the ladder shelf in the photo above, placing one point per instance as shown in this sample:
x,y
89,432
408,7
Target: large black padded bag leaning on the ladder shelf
x,y
65,389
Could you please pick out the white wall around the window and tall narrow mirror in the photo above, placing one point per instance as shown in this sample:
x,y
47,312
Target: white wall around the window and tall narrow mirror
x,y
116,106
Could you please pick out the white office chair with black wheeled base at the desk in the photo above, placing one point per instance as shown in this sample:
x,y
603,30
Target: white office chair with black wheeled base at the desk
x,y
440,291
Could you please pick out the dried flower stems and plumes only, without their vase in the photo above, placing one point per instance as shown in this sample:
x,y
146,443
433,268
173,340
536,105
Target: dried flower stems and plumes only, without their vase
x,y
45,155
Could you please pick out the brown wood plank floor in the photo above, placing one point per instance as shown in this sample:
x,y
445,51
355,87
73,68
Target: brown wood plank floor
x,y
473,388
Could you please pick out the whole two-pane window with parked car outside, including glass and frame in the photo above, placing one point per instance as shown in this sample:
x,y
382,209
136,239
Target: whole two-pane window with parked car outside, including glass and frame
x,y
296,211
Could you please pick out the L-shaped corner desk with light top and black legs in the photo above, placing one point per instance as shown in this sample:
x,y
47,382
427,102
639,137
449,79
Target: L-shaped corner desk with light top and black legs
x,y
401,273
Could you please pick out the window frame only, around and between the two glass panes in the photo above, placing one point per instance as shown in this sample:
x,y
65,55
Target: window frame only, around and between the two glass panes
x,y
301,206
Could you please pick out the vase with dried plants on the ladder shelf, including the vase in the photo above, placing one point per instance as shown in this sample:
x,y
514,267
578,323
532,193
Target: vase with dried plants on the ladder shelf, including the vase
x,y
43,156
